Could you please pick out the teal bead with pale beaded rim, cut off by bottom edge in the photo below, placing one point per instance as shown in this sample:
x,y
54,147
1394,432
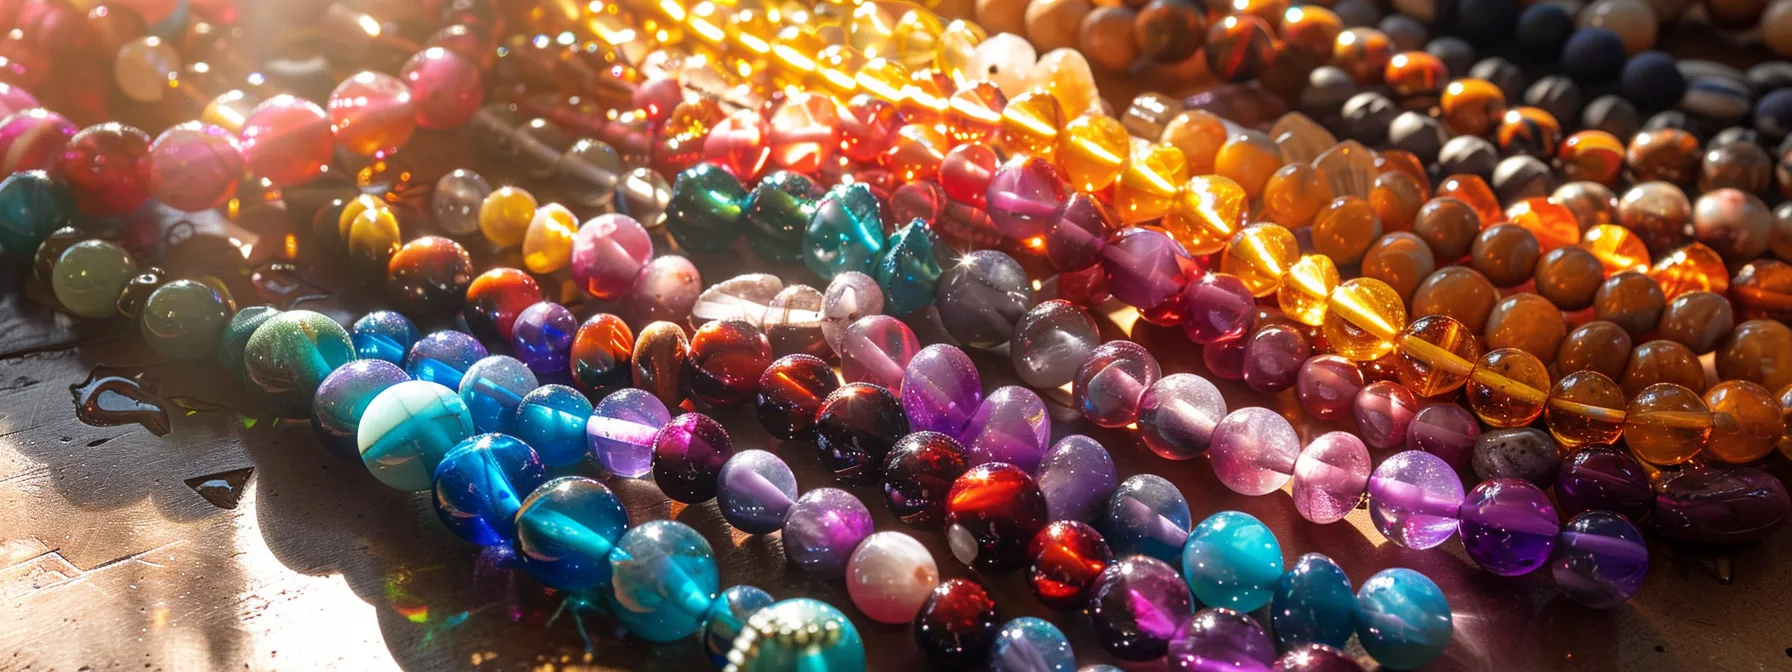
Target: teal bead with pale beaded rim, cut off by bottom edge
x,y
800,635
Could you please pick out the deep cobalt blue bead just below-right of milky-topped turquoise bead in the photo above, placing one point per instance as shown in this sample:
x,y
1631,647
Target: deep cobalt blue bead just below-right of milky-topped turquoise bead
x,y
483,483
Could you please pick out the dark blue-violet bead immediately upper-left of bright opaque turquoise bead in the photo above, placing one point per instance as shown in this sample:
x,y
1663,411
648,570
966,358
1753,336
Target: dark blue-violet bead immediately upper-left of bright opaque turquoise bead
x,y
1146,517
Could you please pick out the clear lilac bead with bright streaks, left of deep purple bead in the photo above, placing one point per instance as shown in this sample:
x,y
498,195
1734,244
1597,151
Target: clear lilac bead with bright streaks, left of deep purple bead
x,y
1415,499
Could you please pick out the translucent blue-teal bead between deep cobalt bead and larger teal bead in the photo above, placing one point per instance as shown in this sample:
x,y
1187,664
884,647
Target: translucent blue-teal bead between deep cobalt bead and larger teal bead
x,y
567,531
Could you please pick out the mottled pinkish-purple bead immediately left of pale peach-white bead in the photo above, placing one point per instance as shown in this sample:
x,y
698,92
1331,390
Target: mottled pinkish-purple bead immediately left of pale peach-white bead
x,y
822,531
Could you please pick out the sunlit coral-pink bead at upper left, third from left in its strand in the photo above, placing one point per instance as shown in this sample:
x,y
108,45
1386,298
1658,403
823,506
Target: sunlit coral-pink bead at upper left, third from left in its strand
x,y
288,141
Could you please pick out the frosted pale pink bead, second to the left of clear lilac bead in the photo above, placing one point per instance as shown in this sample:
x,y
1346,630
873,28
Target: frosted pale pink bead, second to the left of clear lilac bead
x,y
1255,451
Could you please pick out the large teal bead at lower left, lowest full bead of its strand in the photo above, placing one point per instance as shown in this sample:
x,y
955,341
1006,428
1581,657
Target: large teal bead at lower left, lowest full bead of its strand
x,y
662,582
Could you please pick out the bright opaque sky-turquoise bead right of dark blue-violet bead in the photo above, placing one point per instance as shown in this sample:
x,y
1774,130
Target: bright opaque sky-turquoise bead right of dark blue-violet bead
x,y
1232,562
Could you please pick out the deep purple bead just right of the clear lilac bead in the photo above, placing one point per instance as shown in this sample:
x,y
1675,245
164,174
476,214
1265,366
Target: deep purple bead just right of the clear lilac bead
x,y
1508,526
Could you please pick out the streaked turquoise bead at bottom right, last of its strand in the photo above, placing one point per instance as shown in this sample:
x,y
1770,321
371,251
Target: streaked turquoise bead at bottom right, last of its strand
x,y
1404,619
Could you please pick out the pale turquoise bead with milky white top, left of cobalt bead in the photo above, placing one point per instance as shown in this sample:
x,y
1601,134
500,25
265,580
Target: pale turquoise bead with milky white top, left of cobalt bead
x,y
408,431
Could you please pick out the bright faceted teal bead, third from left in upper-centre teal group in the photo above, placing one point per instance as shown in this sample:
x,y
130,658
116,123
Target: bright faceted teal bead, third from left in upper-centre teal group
x,y
845,234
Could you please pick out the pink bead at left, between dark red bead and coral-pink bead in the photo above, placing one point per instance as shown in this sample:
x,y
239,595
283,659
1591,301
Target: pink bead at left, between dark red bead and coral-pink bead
x,y
194,168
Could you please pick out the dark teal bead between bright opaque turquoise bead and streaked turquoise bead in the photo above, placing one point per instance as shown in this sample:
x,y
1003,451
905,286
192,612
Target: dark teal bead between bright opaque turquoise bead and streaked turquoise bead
x,y
1313,603
